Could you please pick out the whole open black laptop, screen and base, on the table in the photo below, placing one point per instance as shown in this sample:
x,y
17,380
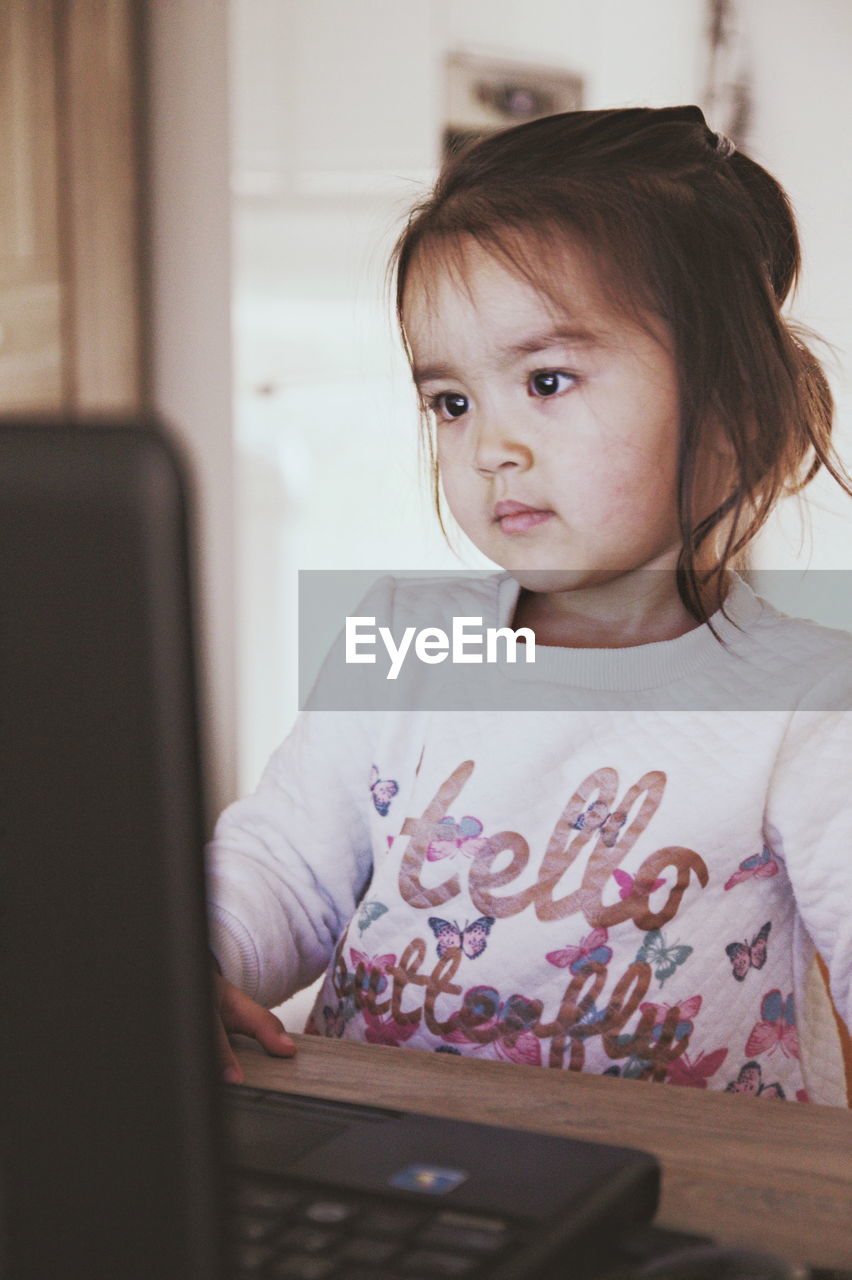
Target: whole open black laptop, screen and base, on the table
x,y
116,1160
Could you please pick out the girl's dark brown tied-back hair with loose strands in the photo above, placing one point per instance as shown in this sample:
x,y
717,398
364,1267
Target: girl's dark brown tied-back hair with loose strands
x,y
681,227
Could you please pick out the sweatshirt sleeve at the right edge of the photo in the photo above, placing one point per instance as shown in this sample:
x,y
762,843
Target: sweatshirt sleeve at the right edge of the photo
x,y
810,806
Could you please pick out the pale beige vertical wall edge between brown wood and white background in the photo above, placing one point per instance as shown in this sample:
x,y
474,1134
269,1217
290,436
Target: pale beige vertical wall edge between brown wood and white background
x,y
190,257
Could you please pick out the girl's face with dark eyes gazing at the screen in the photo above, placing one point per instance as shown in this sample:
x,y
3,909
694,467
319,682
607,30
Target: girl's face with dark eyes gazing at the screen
x,y
557,432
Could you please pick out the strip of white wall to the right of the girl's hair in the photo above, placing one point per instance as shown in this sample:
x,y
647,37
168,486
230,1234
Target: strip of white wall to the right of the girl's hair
x,y
801,54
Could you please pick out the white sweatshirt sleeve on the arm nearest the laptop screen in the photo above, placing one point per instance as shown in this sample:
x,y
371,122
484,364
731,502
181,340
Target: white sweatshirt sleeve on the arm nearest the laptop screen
x,y
287,866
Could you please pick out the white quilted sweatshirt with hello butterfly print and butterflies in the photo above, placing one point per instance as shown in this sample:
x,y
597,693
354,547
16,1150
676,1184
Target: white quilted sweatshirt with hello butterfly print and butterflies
x,y
634,883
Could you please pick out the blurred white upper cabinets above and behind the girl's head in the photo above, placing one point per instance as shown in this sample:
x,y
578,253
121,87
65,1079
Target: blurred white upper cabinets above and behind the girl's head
x,y
329,85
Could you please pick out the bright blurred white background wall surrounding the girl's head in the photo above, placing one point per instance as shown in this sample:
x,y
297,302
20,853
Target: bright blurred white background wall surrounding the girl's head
x,y
338,111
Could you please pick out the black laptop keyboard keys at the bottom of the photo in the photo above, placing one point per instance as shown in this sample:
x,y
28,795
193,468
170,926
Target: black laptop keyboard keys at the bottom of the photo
x,y
296,1232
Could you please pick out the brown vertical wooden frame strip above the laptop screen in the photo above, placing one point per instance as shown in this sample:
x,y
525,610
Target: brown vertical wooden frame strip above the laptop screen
x,y
100,77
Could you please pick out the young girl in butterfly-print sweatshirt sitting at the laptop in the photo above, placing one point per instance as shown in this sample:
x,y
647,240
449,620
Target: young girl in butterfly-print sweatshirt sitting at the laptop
x,y
638,881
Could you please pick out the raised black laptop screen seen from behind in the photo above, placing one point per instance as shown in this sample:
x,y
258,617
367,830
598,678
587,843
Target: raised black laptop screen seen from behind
x,y
109,1136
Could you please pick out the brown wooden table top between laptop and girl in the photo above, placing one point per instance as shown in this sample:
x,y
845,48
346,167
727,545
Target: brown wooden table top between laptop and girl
x,y
758,1173
